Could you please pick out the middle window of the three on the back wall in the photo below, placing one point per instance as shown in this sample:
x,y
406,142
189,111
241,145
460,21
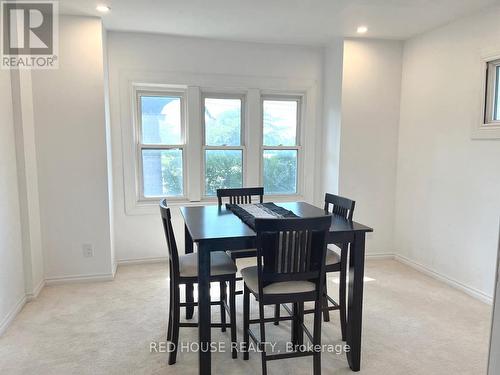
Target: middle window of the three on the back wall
x,y
223,145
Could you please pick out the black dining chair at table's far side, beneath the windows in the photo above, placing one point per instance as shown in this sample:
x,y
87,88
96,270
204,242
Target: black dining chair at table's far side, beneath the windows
x,y
240,196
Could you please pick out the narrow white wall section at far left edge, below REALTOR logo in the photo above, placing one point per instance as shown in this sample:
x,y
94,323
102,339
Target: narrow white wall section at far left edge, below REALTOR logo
x,y
12,294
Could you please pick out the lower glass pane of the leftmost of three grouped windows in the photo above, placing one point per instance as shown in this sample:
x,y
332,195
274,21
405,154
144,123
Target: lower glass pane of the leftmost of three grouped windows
x,y
162,171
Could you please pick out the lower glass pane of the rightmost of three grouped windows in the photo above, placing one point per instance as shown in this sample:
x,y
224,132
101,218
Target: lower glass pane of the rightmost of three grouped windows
x,y
280,171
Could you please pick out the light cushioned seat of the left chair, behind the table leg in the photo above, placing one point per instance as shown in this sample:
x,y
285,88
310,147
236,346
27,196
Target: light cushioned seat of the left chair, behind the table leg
x,y
220,264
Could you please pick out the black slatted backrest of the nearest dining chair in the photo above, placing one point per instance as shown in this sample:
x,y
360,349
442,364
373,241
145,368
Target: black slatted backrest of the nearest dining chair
x,y
291,249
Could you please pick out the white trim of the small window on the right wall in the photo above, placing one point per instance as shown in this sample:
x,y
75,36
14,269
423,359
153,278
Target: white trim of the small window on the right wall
x,y
484,127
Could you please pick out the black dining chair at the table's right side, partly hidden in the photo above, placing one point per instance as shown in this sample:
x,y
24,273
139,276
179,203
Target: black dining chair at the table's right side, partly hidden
x,y
335,262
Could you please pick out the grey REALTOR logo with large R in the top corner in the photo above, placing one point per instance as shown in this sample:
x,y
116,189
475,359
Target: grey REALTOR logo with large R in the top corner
x,y
29,35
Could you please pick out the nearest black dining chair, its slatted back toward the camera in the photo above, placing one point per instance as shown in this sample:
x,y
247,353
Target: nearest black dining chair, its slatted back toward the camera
x,y
290,269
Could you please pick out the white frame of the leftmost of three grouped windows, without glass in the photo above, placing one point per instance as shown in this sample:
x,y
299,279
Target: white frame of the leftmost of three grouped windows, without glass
x,y
139,92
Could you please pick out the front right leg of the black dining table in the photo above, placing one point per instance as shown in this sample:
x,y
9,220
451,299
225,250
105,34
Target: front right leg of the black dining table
x,y
355,300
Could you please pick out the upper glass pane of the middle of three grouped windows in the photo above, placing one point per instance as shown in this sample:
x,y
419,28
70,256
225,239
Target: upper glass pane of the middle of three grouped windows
x,y
222,122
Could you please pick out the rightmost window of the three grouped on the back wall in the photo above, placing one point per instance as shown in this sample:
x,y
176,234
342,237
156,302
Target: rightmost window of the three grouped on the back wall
x,y
280,144
